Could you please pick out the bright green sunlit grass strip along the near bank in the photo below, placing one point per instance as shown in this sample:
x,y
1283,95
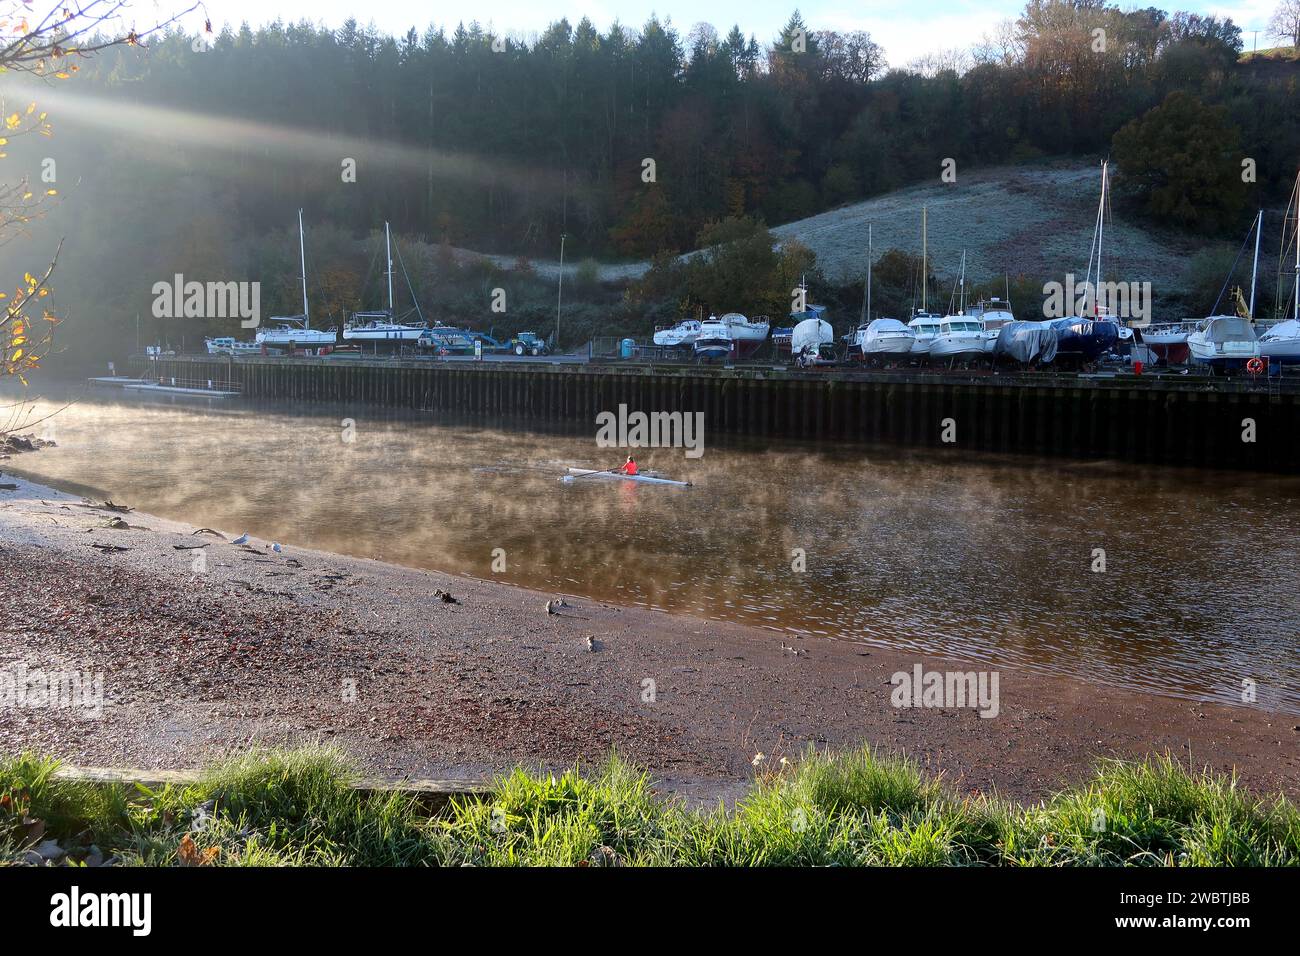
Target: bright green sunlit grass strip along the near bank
x,y
278,808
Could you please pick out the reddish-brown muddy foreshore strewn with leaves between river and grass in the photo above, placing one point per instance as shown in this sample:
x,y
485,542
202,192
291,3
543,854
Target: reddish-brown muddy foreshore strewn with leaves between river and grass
x,y
265,648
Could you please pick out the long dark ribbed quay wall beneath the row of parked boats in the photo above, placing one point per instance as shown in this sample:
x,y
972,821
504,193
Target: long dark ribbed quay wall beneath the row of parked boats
x,y
1128,418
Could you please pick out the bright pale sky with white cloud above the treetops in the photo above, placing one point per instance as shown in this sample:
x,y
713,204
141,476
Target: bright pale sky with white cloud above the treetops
x,y
907,29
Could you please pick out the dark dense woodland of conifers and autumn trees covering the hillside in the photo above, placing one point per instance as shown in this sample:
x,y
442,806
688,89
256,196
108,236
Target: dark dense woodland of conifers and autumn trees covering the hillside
x,y
630,144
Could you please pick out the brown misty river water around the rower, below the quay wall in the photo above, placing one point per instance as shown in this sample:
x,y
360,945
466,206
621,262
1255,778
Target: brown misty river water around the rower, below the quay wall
x,y
985,561
